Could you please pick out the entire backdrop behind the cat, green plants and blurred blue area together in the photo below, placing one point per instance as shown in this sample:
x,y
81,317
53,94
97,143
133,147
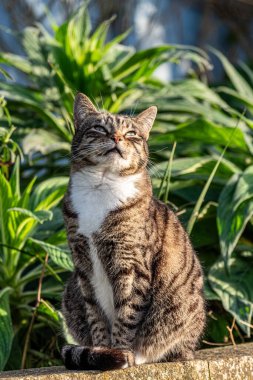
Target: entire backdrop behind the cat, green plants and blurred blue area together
x,y
191,58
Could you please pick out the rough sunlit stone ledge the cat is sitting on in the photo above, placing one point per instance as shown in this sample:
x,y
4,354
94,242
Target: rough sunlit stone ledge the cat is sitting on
x,y
226,363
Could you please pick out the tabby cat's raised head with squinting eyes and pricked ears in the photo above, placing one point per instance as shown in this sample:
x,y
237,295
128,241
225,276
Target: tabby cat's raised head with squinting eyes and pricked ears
x,y
116,143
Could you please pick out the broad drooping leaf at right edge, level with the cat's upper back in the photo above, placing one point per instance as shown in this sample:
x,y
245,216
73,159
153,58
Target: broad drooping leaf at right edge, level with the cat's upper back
x,y
235,210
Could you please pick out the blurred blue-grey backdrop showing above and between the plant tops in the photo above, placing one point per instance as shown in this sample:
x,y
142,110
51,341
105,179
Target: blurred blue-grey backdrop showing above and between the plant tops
x,y
224,24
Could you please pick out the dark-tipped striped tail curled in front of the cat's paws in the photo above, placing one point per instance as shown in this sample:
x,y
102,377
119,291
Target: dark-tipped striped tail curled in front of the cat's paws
x,y
96,358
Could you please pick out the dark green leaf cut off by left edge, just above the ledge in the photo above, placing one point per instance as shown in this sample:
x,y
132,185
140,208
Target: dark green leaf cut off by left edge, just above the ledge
x,y
6,330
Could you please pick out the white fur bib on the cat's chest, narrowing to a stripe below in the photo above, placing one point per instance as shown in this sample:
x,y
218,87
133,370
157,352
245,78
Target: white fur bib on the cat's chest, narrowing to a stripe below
x,y
93,196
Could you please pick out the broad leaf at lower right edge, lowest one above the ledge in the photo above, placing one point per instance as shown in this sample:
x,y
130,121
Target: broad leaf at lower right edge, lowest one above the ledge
x,y
234,288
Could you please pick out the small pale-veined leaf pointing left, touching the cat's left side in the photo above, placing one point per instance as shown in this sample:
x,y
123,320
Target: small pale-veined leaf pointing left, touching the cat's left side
x,y
58,255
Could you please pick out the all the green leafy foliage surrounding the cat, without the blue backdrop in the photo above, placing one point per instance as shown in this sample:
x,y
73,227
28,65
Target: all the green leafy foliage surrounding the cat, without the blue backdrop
x,y
201,161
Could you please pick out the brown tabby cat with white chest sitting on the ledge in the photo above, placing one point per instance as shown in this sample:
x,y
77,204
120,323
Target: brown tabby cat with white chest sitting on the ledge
x,y
136,294
